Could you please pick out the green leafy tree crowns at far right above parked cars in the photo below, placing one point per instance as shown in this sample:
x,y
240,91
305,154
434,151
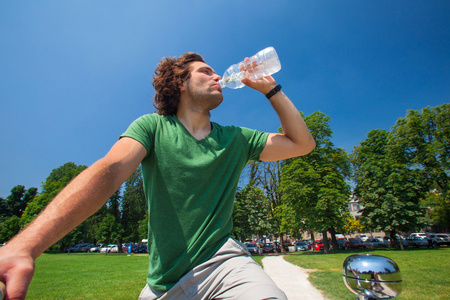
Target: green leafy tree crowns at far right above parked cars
x,y
402,172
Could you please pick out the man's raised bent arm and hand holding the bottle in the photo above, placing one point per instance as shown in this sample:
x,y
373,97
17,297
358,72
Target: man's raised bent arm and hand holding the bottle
x,y
295,139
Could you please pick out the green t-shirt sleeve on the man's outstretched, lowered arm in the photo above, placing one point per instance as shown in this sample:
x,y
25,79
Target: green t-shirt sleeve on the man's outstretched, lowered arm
x,y
142,130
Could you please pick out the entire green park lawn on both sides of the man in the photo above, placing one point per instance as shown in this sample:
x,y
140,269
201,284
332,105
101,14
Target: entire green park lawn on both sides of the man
x,y
425,274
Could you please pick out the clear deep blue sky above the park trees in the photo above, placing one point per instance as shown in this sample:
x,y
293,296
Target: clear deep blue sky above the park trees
x,y
75,74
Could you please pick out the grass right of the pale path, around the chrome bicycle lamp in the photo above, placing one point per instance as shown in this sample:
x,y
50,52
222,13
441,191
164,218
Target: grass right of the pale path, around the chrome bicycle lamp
x,y
425,272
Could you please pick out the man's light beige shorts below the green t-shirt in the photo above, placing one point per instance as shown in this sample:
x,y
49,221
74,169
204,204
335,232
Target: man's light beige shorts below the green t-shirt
x,y
230,274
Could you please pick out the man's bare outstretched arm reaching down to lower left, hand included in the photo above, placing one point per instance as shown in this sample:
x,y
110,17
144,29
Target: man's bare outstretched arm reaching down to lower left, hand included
x,y
82,197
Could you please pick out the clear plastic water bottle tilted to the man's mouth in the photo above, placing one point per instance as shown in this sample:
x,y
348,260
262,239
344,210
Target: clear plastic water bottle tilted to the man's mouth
x,y
263,63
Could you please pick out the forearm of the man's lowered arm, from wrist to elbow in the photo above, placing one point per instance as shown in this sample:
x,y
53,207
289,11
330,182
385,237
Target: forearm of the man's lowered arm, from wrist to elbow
x,y
75,203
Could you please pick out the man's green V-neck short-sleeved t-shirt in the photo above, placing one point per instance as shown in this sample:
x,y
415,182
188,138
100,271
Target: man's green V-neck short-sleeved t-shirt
x,y
190,187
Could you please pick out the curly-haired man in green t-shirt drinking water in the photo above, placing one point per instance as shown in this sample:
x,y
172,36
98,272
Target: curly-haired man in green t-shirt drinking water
x,y
191,168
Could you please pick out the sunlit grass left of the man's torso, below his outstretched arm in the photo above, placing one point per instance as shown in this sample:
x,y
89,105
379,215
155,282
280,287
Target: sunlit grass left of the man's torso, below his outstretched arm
x,y
88,276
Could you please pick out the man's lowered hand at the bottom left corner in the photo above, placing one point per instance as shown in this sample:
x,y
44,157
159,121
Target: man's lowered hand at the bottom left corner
x,y
16,272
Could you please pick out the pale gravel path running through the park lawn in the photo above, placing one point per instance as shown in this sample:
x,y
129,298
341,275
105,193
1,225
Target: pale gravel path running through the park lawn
x,y
291,279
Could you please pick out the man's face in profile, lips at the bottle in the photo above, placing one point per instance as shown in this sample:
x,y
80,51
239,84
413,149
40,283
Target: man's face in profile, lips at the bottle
x,y
202,87
